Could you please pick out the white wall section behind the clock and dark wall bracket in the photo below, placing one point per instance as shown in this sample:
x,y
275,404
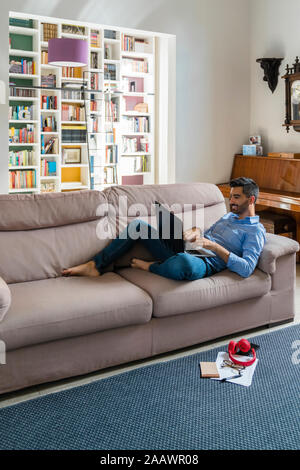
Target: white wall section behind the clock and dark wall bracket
x,y
274,33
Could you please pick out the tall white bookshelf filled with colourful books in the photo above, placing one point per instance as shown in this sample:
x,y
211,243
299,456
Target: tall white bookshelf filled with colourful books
x,y
115,68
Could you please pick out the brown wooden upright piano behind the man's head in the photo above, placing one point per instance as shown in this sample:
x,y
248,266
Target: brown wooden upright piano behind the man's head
x,y
279,184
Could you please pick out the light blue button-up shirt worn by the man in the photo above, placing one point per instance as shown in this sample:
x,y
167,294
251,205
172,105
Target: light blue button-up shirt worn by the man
x,y
243,238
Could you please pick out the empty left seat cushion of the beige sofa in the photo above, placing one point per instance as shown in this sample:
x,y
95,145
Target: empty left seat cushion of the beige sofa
x,y
63,307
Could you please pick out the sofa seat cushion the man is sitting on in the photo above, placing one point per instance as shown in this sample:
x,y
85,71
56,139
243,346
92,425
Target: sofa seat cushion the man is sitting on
x,y
176,297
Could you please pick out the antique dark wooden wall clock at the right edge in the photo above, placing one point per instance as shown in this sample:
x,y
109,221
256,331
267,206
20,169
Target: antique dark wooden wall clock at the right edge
x,y
292,96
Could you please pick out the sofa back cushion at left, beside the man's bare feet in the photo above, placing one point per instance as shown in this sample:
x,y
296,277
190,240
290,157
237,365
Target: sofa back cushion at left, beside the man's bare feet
x,y
40,236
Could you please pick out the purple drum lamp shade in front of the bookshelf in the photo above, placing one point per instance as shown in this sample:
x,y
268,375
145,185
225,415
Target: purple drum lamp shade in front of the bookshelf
x,y
67,52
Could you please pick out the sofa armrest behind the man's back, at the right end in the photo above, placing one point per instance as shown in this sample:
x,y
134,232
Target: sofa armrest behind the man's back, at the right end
x,y
275,247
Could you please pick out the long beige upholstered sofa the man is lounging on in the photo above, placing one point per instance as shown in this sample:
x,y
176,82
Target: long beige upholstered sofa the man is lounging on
x,y
56,327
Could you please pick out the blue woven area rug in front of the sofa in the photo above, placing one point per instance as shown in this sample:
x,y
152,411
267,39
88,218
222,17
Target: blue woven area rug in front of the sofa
x,y
167,406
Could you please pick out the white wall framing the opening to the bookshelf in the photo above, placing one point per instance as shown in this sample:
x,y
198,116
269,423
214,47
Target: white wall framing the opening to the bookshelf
x,y
213,73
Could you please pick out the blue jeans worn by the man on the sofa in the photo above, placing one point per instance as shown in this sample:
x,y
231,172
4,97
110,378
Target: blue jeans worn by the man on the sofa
x,y
178,266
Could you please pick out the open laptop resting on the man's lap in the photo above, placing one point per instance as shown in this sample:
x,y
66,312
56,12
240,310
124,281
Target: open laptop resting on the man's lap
x,y
178,244
